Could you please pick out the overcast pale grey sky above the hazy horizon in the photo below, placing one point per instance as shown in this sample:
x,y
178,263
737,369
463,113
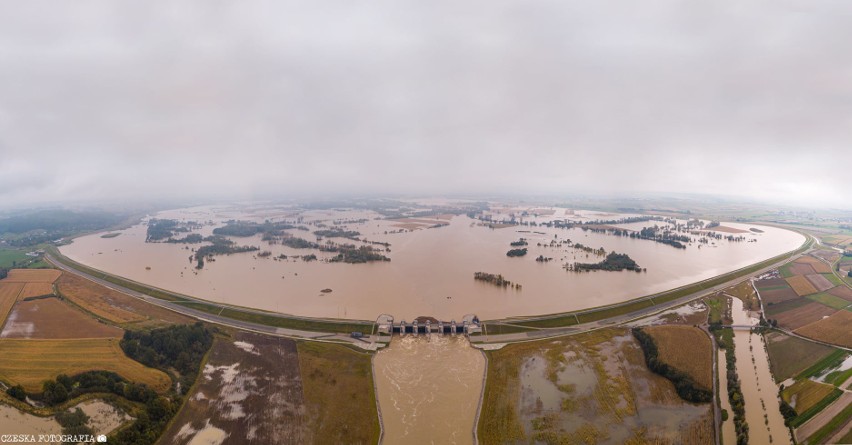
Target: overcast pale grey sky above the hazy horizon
x,y
139,100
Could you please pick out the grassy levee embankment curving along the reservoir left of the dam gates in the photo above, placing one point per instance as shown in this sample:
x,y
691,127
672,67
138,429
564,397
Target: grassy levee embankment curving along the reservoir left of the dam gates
x,y
233,312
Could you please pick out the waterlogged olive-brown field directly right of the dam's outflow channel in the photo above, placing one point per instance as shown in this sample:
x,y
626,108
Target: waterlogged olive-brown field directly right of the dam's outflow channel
x,y
592,388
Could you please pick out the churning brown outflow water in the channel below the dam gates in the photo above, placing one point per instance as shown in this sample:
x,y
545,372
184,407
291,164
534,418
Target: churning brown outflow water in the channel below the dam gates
x,y
429,389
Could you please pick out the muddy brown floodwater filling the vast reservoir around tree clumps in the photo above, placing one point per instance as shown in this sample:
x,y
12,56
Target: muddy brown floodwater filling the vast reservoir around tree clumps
x,y
431,269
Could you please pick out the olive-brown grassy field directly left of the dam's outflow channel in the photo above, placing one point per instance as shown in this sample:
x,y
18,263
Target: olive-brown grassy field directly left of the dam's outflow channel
x,y
340,399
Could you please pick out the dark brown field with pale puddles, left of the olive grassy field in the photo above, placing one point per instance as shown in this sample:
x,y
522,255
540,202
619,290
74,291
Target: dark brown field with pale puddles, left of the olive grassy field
x,y
251,388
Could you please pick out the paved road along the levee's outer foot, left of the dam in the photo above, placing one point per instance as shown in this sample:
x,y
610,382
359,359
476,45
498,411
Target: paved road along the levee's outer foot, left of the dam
x,y
366,343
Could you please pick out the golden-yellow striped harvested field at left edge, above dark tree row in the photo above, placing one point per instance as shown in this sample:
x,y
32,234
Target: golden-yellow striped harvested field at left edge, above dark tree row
x,y
31,362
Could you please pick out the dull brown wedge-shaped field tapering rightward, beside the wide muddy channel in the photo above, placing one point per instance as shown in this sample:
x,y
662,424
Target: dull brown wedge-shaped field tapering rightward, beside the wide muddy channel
x,y
788,355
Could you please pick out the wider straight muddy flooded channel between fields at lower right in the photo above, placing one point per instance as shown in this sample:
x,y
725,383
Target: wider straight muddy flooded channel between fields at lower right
x,y
760,394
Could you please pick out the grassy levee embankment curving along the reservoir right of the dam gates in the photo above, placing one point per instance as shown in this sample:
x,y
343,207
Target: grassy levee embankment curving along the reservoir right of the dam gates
x,y
638,304
